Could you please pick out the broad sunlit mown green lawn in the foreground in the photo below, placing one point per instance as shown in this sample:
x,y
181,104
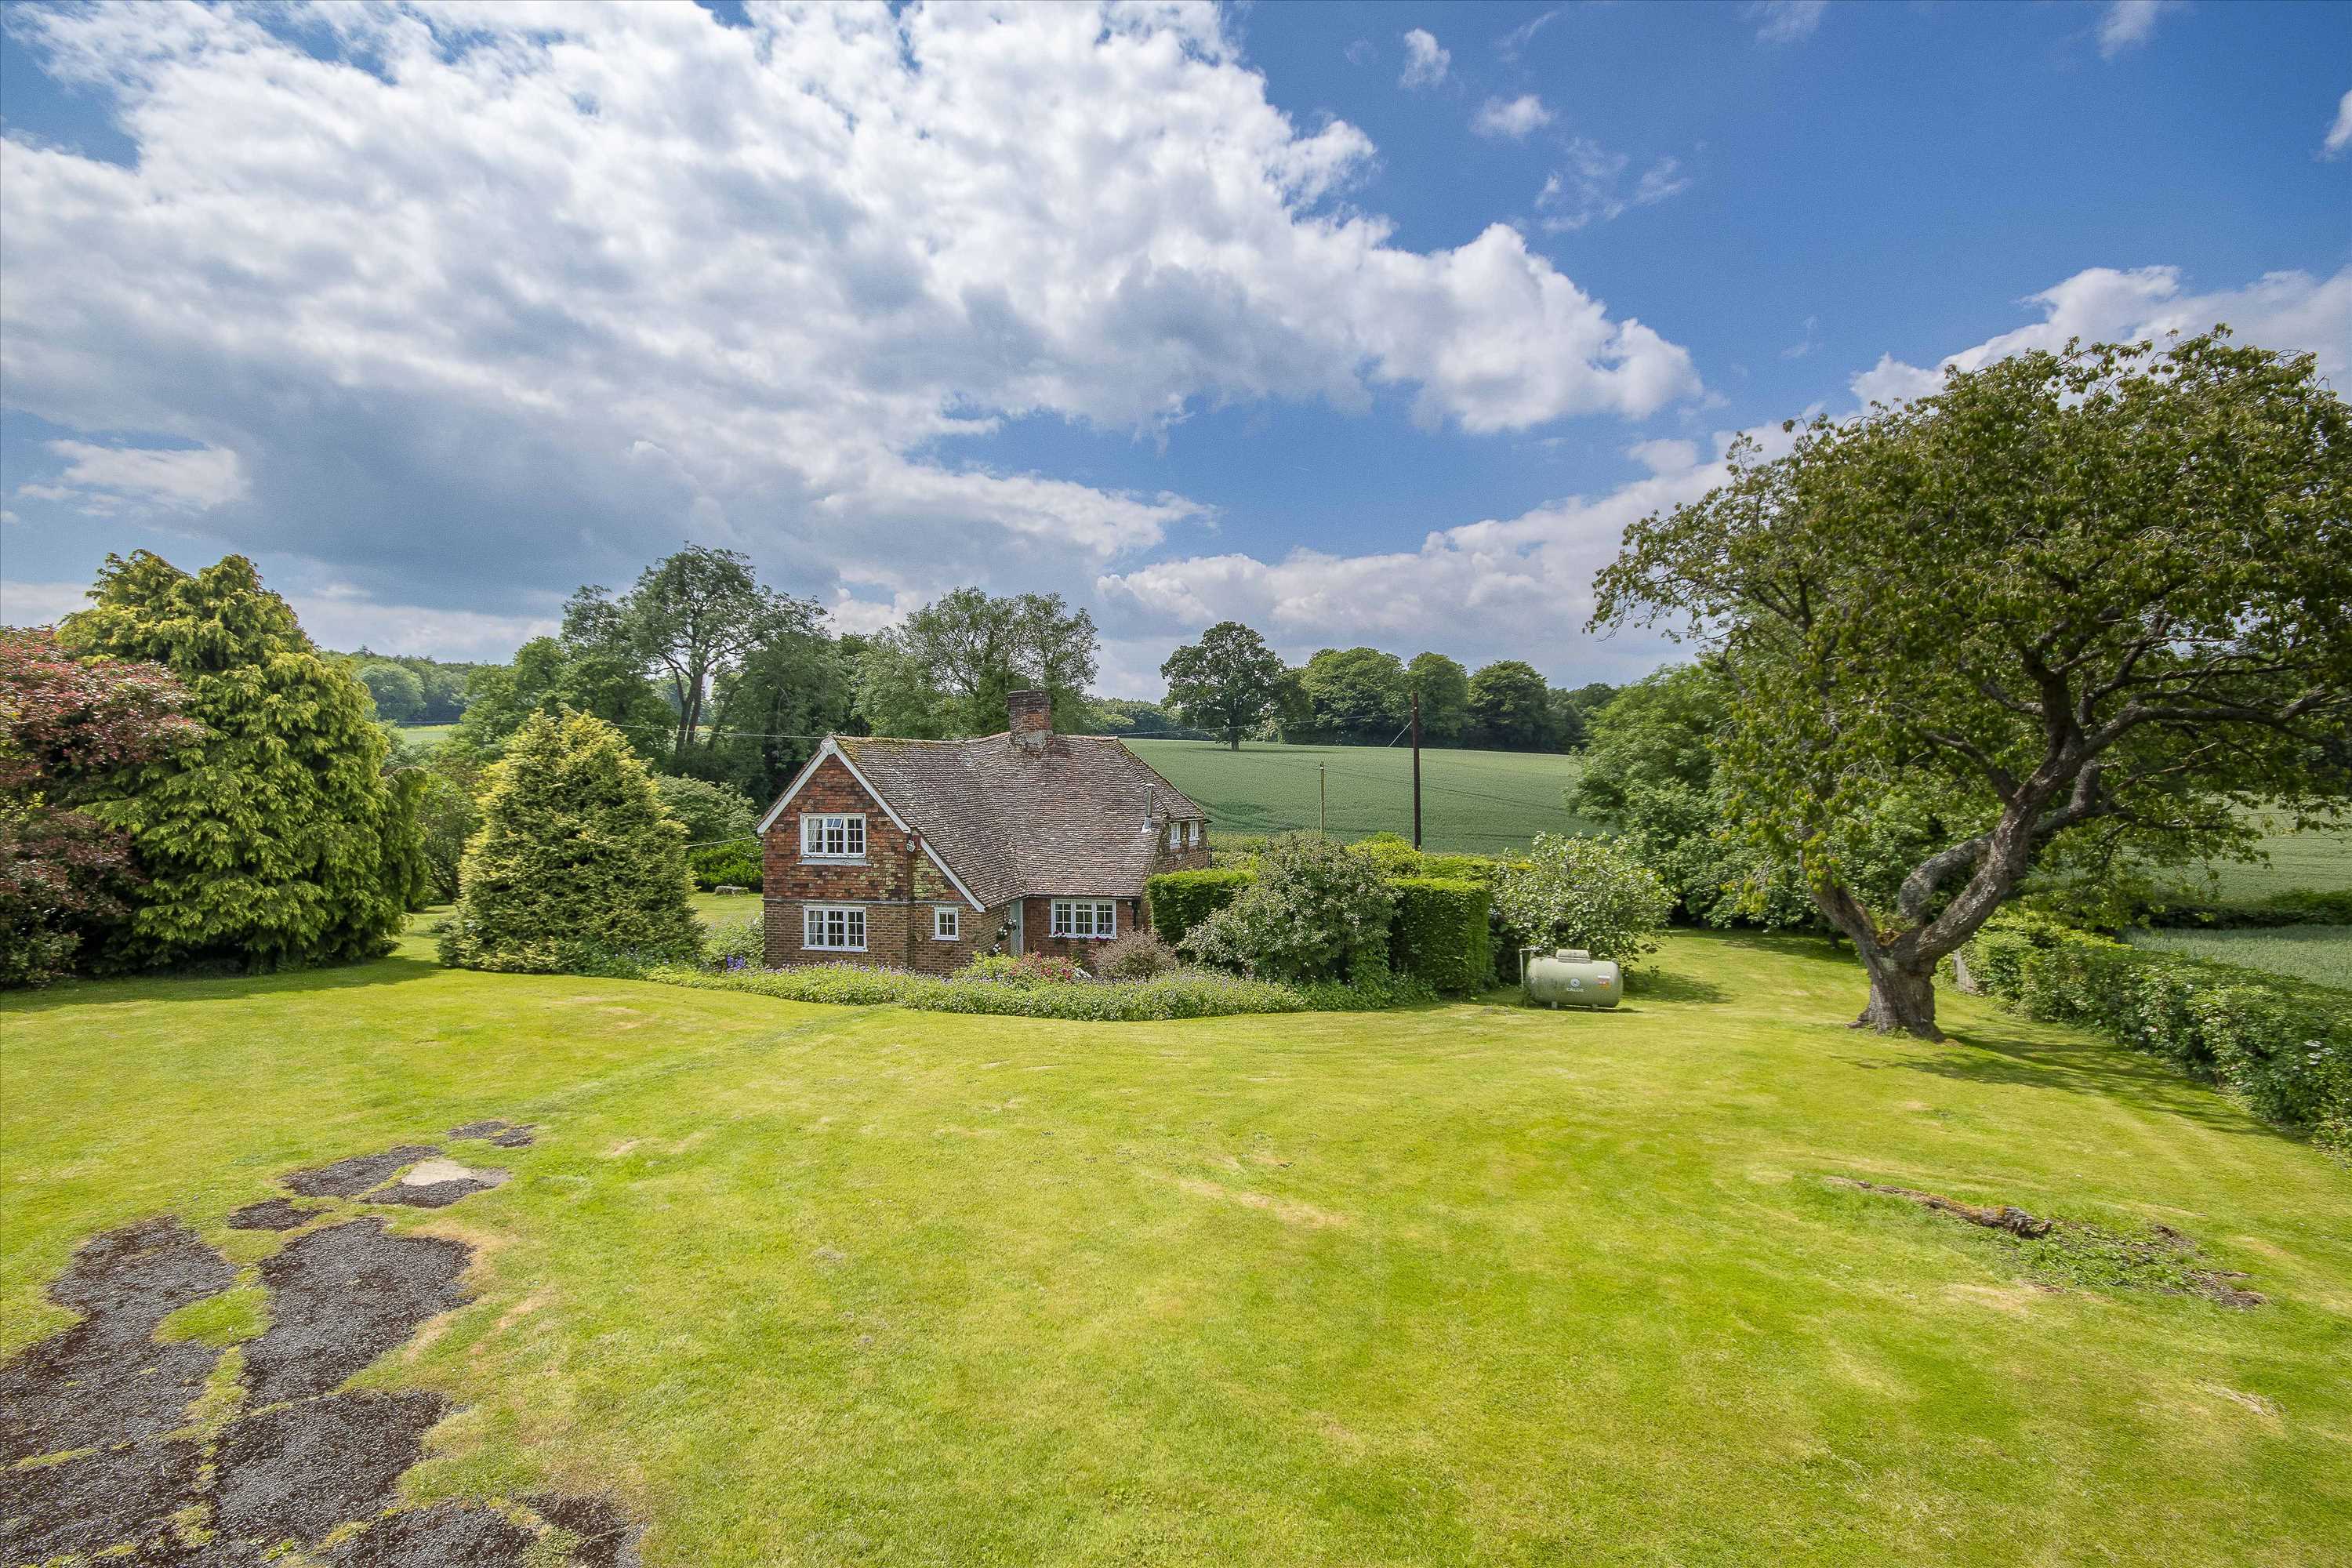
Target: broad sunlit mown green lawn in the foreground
x,y
1469,1285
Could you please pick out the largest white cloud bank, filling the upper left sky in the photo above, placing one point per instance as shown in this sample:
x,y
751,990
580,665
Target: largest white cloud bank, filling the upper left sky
x,y
514,297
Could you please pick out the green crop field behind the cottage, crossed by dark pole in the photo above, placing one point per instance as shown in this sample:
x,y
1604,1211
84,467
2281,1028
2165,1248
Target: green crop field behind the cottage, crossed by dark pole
x,y
1471,803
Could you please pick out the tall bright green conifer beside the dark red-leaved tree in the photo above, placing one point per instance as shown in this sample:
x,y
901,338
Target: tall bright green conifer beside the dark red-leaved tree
x,y
262,840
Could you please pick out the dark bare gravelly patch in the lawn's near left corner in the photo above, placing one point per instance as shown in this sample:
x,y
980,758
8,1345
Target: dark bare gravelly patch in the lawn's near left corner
x,y
88,1409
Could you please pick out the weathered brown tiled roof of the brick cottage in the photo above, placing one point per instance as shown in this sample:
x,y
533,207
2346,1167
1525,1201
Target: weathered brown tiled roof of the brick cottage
x,y
1064,817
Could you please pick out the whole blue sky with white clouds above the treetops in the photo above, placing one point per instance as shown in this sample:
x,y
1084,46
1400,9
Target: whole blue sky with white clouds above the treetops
x,y
1361,323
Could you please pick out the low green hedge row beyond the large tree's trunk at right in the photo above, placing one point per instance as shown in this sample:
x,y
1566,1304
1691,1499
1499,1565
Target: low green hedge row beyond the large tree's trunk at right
x,y
2285,1047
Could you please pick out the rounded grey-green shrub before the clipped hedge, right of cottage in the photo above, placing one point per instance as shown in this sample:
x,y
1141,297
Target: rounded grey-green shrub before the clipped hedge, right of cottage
x,y
1318,911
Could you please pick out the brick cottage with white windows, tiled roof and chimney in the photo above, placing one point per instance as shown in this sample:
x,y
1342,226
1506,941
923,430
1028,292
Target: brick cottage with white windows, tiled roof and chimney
x,y
923,855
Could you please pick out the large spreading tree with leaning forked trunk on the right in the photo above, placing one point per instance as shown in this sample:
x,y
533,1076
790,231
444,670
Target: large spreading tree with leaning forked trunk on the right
x,y
2080,608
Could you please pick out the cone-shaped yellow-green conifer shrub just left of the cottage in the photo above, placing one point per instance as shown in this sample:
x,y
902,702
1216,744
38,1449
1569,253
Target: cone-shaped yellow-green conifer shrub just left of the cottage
x,y
575,864
